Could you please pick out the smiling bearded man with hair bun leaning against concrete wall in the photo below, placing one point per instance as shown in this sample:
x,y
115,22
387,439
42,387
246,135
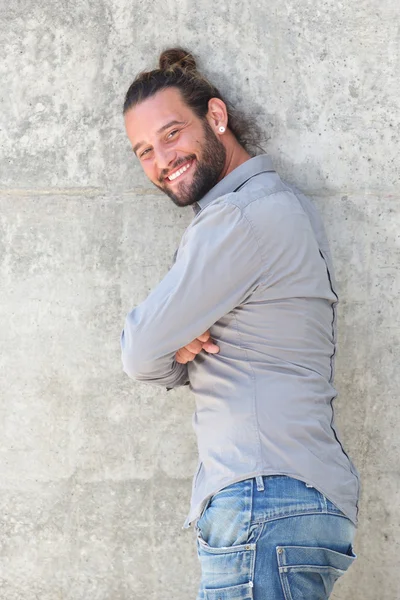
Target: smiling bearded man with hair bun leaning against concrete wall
x,y
247,317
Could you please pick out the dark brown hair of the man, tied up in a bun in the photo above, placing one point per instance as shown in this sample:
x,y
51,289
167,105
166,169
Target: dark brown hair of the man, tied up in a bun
x,y
177,68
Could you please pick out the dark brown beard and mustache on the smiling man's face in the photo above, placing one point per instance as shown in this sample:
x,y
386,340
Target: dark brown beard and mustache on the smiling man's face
x,y
207,171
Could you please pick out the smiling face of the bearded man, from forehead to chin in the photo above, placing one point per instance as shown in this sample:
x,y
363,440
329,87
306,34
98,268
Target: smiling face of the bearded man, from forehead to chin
x,y
179,152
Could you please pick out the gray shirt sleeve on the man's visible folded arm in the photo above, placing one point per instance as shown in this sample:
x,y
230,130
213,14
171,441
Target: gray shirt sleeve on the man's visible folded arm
x,y
218,266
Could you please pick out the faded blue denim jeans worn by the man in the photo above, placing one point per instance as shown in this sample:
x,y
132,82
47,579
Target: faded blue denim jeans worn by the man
x,y
272,538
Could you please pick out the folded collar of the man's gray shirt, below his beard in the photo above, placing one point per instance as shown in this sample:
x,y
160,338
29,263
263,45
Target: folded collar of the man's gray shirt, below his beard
x,y
235,179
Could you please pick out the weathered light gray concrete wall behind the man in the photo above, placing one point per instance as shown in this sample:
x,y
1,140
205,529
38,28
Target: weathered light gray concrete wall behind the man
x,y
95,470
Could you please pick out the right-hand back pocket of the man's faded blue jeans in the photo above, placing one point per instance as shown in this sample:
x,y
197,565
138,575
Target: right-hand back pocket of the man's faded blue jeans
x,y
308,572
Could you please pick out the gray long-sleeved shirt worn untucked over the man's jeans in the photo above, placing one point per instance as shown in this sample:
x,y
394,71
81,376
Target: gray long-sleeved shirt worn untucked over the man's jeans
x,y
254,267
